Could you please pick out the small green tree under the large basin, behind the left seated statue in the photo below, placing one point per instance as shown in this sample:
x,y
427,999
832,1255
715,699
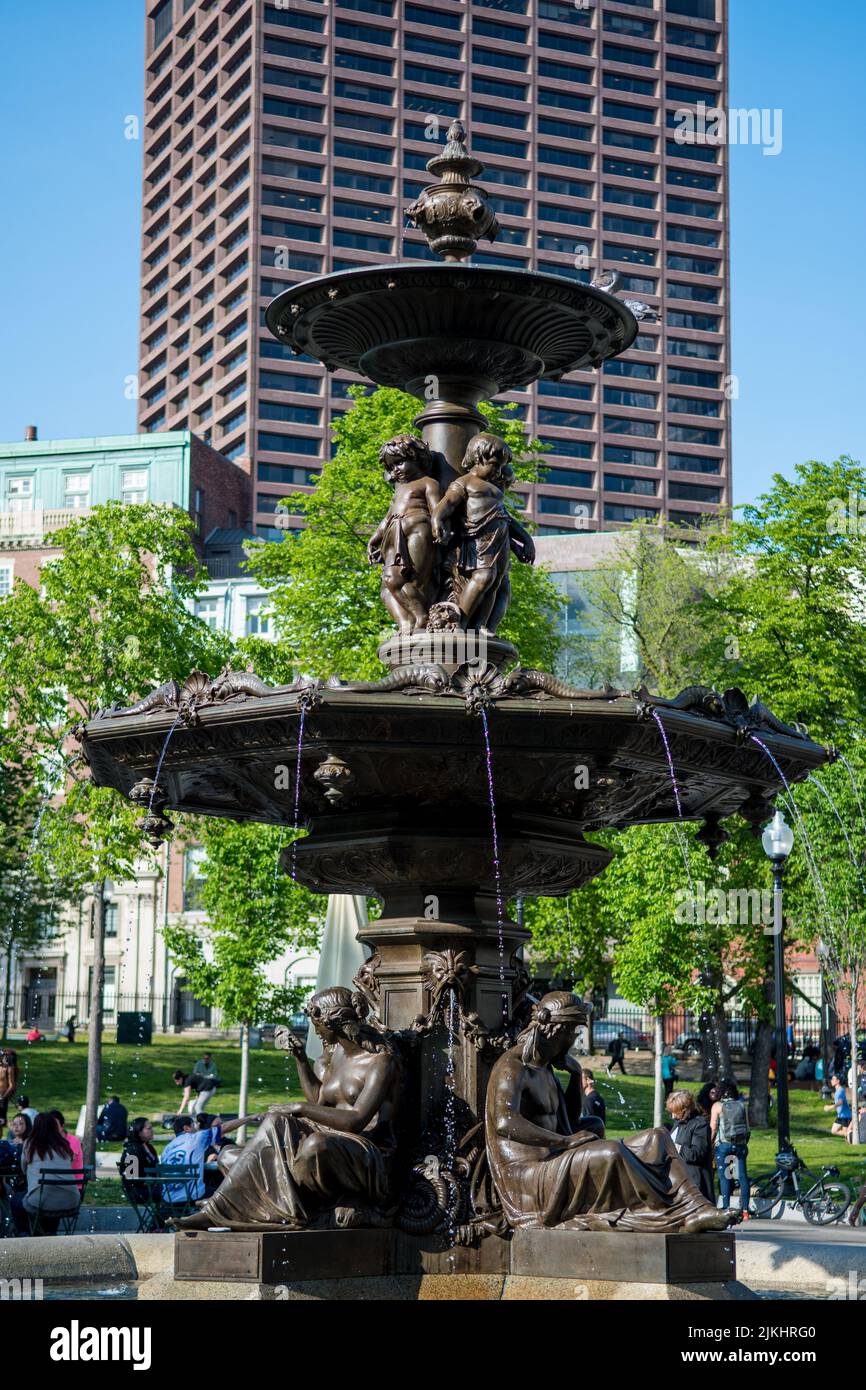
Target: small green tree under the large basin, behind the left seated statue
x,y
254,914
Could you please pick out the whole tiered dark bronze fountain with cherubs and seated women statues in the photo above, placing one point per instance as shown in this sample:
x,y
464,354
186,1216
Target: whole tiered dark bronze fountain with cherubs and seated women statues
x,y
444,789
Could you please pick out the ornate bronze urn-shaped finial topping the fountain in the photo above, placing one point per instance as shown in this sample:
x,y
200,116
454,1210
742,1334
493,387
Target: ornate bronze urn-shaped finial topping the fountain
x,y
454,213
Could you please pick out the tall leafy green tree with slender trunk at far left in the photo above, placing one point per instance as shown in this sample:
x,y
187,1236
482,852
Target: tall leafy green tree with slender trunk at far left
x,y
109,622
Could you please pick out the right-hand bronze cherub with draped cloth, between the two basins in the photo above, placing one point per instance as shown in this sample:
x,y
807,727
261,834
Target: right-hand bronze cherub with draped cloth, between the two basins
x,y
484,534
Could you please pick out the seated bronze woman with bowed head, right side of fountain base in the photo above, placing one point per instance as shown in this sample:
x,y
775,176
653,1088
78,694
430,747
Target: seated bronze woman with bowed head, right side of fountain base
x,y
547,1175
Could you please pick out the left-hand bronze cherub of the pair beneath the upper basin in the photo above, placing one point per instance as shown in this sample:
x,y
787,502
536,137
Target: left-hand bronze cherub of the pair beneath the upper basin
x,y
404,544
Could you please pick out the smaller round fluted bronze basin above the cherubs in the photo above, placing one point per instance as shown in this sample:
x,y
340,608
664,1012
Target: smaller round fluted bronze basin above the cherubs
x,y
401,325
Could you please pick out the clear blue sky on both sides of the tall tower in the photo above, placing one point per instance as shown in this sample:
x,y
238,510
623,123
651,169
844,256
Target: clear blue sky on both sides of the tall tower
x,y
72,195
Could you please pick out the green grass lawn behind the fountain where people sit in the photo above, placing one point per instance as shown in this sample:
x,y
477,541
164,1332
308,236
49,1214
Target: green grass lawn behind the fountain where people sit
x,y
54,1077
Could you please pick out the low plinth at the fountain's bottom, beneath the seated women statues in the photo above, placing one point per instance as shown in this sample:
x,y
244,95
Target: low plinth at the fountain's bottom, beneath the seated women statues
x,y
530,1266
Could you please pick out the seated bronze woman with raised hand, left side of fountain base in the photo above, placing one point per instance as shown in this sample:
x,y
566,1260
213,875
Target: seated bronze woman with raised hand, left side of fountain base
x,y
329,1159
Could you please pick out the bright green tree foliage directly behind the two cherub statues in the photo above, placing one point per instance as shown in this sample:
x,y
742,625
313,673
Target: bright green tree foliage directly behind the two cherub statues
x,y
326,596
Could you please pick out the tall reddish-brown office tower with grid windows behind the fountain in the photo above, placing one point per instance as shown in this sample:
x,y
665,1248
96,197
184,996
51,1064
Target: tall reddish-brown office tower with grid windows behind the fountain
x,y
284,141
